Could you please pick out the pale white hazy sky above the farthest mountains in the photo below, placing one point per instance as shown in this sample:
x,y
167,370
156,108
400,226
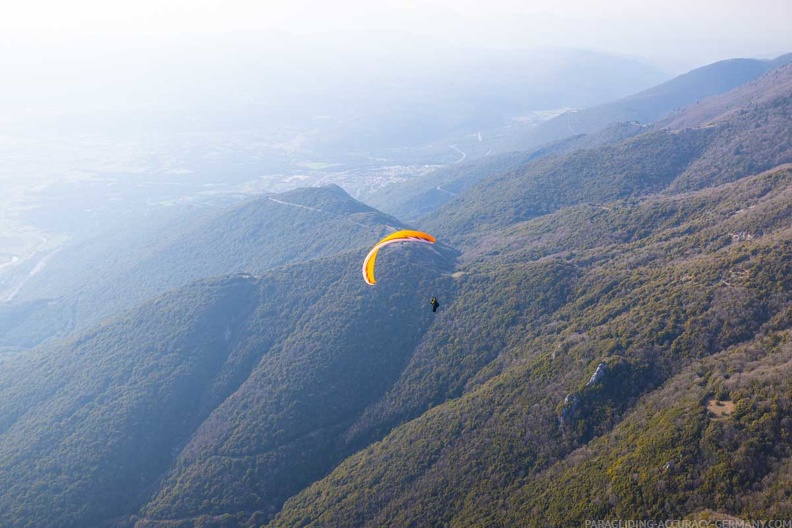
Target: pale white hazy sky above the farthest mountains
x,y
676,34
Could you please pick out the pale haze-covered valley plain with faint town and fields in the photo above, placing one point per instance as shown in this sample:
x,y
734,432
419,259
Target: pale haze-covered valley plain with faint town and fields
x,y
80,160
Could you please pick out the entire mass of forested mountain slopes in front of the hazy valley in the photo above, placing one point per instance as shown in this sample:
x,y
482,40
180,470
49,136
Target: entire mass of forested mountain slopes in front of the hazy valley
x,y
614,341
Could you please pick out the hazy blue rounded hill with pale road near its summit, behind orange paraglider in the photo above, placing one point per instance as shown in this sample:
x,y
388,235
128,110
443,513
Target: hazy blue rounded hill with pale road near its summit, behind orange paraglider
x,y
112,272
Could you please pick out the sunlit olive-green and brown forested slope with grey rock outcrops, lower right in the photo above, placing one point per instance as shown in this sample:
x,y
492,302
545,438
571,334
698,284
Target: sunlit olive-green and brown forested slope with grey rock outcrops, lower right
x,y
673,296
